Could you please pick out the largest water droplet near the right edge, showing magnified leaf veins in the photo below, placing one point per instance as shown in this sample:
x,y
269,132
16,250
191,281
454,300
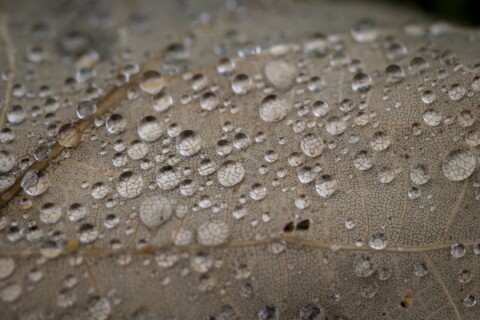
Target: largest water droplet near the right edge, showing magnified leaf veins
x,y
458,165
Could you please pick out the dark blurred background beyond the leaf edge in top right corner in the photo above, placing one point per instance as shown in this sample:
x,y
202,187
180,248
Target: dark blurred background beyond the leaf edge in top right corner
x,y
465,12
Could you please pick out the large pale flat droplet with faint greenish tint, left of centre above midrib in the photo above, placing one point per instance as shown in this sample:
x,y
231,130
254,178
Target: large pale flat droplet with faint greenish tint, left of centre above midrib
x,y
154,211
